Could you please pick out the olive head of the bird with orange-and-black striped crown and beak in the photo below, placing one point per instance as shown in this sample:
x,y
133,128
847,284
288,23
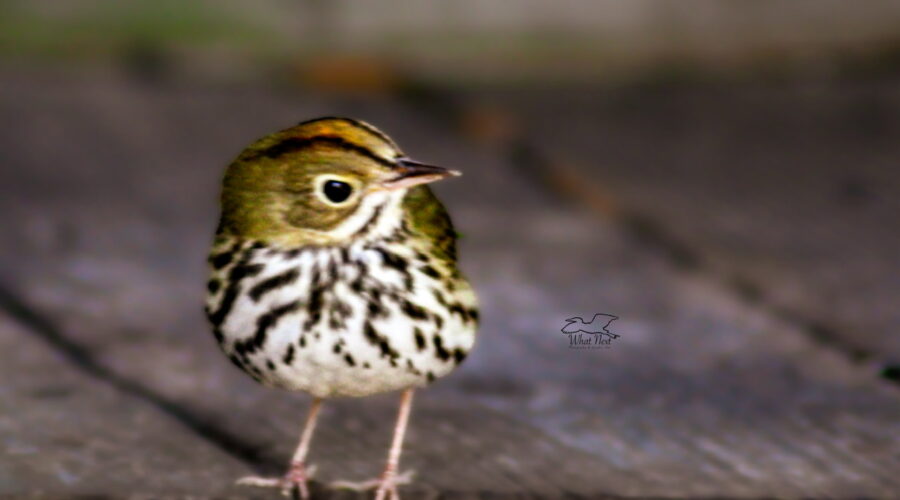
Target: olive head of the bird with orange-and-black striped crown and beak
x,y
320,182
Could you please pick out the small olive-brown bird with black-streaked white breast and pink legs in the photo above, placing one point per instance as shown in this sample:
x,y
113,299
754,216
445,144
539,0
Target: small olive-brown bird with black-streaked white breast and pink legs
x,y
333,271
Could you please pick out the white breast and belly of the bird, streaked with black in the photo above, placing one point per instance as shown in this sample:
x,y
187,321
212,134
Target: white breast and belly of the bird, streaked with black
x,y
372,335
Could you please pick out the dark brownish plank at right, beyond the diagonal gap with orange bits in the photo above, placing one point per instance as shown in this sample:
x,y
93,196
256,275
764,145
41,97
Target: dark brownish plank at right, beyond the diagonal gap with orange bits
x,y
788,193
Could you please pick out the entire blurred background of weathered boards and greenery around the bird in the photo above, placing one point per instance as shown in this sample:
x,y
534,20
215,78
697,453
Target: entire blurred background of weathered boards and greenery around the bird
x,y
721,175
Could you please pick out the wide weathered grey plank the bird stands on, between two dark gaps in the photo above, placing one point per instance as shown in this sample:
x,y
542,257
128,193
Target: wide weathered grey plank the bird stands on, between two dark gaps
x,y
109,201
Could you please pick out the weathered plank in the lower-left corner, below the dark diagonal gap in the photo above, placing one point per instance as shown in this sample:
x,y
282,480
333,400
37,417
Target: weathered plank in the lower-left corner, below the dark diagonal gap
x,y
65,433
